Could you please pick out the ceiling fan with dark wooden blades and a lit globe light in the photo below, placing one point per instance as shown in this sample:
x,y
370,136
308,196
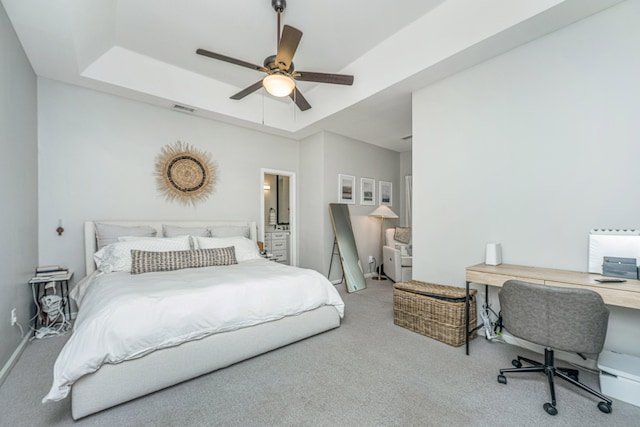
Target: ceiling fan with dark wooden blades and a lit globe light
x,y
281,75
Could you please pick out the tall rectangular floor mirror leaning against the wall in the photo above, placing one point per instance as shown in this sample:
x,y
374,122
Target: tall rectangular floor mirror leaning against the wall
x,y
351,266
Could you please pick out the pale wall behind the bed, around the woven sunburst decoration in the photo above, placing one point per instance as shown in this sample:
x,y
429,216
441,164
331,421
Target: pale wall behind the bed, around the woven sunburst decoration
x,y
98,157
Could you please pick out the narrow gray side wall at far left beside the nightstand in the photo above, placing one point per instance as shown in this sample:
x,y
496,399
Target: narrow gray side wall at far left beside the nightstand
x,y
18,186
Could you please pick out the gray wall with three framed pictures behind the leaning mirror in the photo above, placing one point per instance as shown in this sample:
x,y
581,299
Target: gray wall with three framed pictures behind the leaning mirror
x,y
325,156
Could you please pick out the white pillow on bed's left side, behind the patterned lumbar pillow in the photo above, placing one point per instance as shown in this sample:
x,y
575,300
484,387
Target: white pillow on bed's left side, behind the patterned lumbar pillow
x,y
117,256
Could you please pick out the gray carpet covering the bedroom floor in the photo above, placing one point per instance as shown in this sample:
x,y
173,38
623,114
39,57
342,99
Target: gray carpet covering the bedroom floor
x,y
368,372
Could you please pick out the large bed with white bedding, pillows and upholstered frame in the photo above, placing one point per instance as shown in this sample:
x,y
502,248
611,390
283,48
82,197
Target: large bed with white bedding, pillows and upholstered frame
x,y
299,303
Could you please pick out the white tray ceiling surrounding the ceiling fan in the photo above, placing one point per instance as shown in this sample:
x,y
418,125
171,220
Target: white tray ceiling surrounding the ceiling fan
x,y
145,50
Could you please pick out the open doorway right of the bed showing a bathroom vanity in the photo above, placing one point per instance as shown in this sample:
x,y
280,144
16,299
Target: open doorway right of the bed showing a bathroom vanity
x,y
277,225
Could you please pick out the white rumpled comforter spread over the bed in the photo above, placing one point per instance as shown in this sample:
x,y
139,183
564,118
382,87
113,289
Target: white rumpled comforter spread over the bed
x,y
125,316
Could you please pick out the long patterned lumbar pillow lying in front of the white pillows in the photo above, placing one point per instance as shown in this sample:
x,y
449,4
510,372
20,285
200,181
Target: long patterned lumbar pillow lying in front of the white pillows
x,y
146,262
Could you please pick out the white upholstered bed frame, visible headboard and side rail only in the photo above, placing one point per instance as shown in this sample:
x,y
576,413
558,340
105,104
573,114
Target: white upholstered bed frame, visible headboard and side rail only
x,y
113,384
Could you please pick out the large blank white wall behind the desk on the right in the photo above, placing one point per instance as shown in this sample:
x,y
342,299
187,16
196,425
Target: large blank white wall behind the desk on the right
x,y
532,149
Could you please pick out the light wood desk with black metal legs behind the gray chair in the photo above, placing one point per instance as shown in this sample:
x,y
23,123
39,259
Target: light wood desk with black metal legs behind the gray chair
x,y
625,294
